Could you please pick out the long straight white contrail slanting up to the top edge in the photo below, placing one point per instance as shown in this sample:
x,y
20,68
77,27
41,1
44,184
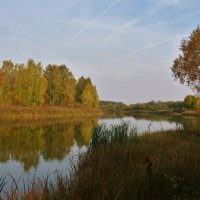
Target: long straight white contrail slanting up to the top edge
x,y
90,23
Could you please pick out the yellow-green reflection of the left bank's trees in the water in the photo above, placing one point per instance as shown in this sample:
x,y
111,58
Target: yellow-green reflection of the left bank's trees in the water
x,y
28,144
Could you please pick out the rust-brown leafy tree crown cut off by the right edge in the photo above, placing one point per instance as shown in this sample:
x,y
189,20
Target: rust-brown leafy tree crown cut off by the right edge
x,y
186,67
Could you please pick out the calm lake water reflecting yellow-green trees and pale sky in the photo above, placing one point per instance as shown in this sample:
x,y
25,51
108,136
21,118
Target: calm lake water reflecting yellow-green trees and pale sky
x,y
37,148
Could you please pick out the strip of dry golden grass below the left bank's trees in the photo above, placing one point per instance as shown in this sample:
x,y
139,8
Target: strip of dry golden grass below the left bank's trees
x,y
46,112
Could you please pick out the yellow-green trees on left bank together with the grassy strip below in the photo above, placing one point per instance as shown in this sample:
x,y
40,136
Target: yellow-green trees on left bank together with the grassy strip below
x,y
28,90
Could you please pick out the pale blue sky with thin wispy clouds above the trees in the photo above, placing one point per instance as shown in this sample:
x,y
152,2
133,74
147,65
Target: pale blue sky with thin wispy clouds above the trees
x,y
125,46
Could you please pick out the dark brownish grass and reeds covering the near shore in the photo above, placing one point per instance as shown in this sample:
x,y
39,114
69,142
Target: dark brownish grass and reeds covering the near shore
x,y
121,165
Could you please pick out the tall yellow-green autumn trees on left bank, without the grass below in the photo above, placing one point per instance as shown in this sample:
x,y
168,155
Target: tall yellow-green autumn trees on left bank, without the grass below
x,y
31,85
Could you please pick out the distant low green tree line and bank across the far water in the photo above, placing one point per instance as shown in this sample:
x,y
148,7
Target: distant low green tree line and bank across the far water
x,y
190,106
